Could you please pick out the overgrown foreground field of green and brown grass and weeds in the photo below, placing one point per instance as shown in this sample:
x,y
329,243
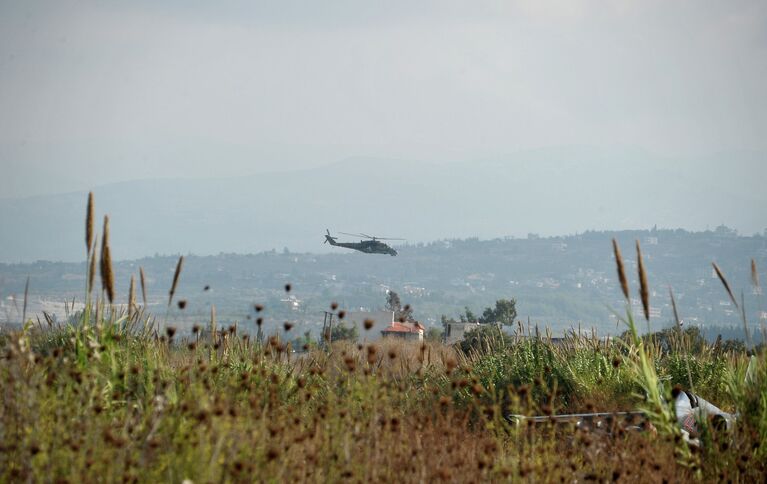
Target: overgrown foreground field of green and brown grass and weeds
x,y
111,397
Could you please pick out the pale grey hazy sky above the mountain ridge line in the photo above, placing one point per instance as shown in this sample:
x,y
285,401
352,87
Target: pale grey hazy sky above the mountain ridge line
x,y
95,92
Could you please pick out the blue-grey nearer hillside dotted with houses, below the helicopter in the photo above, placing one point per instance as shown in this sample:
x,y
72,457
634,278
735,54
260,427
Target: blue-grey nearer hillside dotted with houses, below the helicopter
x,y
557,282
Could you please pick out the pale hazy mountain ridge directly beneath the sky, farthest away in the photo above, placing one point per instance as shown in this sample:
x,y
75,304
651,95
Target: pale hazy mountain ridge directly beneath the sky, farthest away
x,y
550,191
